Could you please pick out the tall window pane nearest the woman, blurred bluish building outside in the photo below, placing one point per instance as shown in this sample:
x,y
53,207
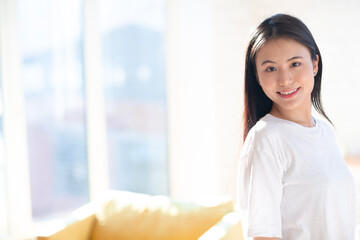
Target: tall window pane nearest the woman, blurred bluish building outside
x,y
133,64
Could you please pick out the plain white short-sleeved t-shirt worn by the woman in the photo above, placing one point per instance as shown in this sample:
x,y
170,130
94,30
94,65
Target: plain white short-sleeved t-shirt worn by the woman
x,y
294,183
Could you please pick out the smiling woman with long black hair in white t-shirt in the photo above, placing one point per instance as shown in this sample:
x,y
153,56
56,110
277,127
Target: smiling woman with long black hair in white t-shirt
x,y
294,183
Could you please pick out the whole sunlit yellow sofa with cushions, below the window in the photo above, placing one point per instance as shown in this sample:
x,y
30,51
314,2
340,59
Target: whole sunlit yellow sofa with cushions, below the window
x,y
134,216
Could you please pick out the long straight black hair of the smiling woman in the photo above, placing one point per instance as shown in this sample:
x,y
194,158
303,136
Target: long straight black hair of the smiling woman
x,y
257,104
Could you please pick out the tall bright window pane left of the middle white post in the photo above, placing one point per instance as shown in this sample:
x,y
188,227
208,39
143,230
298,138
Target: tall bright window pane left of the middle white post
x,y
51,45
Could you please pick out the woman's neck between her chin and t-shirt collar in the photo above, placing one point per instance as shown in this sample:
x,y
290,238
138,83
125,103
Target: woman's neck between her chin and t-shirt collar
x,y
302,117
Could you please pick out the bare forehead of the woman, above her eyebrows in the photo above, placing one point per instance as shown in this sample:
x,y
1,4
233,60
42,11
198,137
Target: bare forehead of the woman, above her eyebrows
x,y
281,49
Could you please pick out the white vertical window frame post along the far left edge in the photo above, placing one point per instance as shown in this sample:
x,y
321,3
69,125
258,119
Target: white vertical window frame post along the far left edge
x,y
16,178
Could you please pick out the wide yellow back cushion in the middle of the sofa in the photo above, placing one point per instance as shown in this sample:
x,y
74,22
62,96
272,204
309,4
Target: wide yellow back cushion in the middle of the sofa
x,y
138,216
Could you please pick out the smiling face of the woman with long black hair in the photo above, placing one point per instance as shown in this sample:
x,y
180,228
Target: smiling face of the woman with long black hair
x,y
286,72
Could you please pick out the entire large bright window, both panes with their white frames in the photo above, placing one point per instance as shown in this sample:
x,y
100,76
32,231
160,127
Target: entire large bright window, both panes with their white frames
x,y
49,51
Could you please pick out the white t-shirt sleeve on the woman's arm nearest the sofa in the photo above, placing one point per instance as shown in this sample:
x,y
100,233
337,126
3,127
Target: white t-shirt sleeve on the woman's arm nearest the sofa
x,y
260,183
